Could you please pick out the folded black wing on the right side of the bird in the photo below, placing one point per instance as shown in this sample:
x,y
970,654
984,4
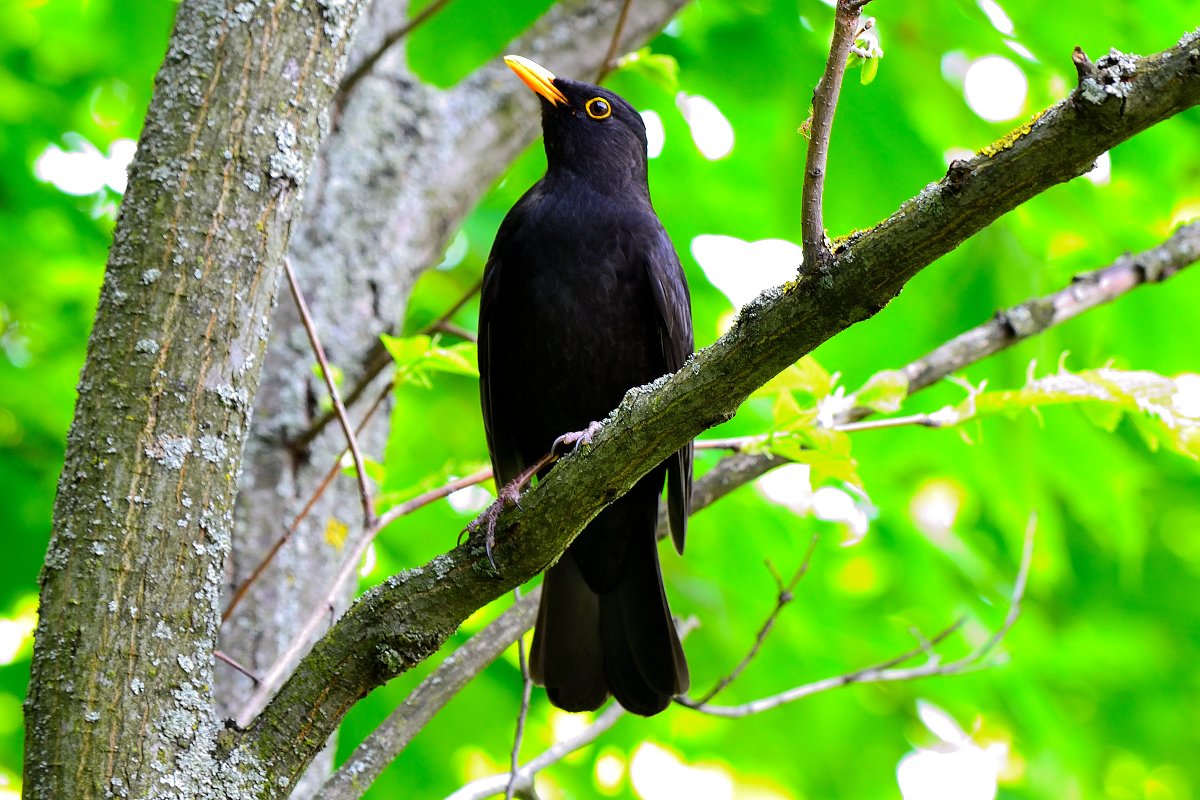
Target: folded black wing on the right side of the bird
x,y
674,305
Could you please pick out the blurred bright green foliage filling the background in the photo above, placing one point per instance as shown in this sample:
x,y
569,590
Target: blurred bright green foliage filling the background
x,y
1096,695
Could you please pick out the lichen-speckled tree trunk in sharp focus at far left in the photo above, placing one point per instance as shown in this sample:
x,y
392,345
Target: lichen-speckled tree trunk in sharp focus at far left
x,y
122,689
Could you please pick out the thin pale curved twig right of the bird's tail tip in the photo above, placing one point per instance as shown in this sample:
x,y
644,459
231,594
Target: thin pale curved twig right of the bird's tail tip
x,y
890,671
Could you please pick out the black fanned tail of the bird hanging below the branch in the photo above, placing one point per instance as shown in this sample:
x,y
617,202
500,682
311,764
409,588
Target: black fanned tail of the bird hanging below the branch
x,y
589,645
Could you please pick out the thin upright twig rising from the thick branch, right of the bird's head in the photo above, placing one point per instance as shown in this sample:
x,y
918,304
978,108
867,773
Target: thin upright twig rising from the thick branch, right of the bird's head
x,y
825,104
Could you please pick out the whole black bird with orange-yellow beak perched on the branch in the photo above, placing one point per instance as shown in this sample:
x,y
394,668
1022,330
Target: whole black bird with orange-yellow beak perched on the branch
x,y
584,298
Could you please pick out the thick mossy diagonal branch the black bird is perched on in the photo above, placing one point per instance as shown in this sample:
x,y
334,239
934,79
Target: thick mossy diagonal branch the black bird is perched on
x,y
403,622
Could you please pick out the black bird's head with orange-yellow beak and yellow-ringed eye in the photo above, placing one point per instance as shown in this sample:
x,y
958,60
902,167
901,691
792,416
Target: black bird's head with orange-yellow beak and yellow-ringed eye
x,y
589,130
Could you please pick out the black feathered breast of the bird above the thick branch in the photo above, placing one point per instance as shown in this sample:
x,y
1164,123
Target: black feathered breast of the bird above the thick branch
x,y
577,318
